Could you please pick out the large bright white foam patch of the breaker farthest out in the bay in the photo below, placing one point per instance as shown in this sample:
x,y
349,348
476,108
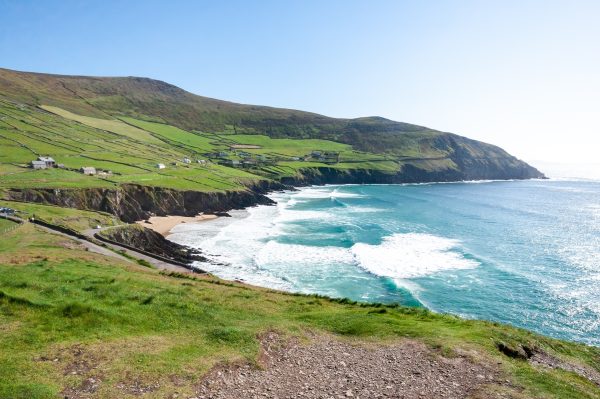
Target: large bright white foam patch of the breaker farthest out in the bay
x,y
411,255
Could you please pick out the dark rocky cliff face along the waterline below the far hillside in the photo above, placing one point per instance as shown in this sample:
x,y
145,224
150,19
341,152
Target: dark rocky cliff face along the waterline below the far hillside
x,y
131,202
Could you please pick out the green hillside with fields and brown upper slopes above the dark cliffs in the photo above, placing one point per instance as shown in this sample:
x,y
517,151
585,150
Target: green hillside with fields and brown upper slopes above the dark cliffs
x,y
92,121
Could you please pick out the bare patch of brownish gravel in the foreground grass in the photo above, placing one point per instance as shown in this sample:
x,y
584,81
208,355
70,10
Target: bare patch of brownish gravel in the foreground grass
x,y
329,369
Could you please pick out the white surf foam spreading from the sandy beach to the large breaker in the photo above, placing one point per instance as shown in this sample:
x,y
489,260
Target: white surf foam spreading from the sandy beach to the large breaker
x,y
246,246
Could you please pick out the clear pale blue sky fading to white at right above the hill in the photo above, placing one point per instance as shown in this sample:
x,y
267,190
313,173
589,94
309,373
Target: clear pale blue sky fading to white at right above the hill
x,y
524,75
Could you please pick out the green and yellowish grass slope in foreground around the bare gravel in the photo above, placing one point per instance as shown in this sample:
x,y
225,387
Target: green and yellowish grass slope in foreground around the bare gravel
x,y
67,314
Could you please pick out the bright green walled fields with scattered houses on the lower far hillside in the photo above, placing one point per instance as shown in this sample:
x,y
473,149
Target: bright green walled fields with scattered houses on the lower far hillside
x,y
131,149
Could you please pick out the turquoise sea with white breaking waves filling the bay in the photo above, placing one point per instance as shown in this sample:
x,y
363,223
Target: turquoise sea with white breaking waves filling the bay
x,y
521,252
